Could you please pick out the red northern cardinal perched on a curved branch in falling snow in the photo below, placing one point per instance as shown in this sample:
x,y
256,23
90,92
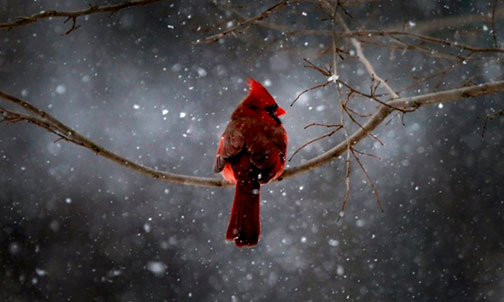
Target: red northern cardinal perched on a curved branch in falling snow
x,y
251,152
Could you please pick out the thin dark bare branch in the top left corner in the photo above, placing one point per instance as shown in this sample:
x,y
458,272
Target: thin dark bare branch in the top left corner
x,y
73,15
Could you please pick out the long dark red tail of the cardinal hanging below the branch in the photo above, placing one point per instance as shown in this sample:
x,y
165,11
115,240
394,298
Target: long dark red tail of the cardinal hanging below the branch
x,y
244,225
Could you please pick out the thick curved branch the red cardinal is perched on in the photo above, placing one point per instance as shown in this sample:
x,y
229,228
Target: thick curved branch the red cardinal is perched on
x,y
383,111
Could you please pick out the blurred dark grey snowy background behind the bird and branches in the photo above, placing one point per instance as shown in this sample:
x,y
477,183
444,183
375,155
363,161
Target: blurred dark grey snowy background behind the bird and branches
x,y
77,227
